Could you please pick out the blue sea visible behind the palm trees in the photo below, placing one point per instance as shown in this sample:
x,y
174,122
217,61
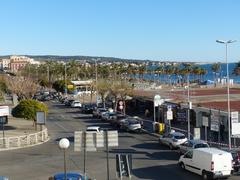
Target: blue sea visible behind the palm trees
x,y
209,77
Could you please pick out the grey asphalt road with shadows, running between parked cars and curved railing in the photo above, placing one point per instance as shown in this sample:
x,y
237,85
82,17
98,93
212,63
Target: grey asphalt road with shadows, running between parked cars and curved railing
x,y
150,160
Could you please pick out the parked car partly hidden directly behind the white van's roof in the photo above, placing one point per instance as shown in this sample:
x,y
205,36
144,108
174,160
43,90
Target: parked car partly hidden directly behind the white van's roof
x,y
192,144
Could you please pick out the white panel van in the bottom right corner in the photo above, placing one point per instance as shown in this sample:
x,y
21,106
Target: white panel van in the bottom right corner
x,y
211,163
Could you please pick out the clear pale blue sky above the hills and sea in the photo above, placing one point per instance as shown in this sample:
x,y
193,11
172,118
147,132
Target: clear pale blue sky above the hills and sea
x,y
181,30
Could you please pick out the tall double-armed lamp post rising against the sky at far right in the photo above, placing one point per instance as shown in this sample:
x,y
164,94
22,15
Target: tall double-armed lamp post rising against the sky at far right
x,y
228,97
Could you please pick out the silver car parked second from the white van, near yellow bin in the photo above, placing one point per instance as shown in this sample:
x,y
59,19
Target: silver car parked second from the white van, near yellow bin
x,y
172,139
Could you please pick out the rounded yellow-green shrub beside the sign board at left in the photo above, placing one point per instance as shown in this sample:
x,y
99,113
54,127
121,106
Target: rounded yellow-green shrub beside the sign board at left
x,y
27,109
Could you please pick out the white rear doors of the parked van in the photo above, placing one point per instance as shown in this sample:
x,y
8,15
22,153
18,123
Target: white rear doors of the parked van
x,y
222,163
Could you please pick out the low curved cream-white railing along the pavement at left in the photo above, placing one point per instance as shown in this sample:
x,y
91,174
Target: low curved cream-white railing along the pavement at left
x,y
9,143
